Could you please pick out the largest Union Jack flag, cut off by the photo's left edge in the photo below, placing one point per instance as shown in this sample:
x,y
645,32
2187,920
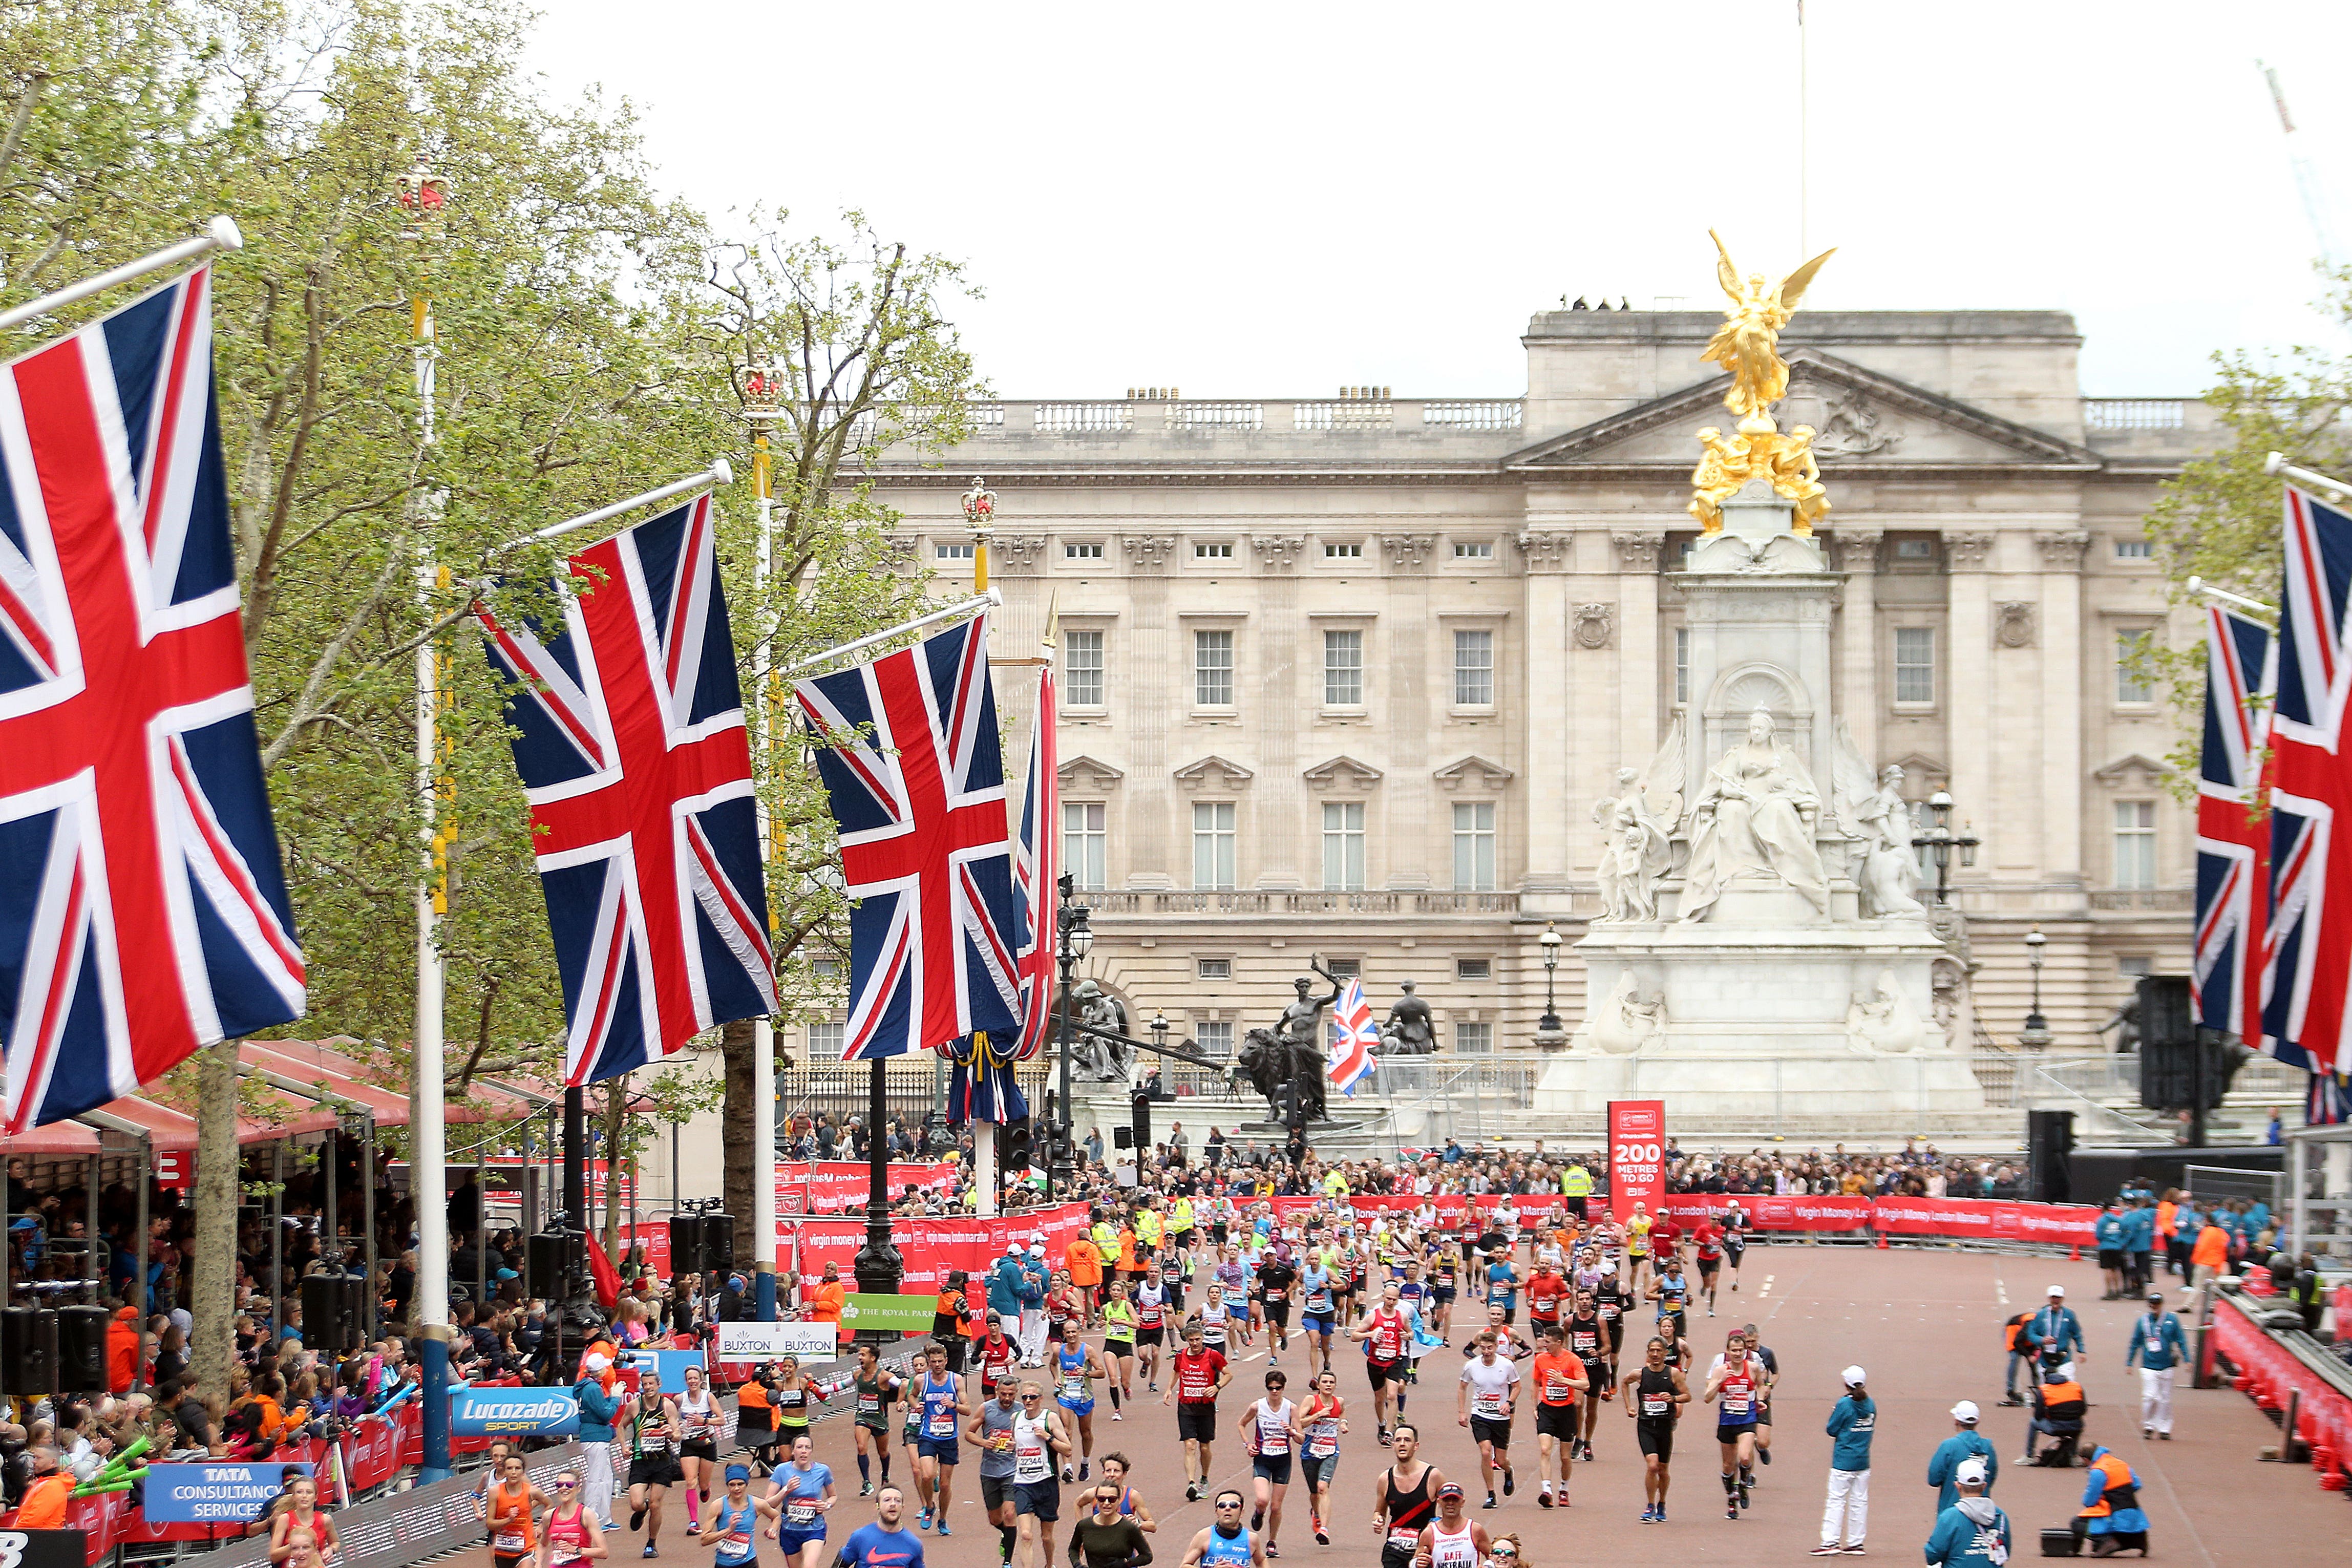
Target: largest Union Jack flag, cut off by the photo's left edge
x,y
142,904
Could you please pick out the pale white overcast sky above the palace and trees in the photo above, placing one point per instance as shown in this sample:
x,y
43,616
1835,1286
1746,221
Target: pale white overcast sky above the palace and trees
x,y
1283,199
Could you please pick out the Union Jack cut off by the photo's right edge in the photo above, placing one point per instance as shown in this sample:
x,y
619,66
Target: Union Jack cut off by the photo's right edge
x,y
2308,977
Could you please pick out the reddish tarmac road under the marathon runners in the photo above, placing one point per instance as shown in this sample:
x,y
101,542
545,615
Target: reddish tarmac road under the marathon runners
x,y
1925,1325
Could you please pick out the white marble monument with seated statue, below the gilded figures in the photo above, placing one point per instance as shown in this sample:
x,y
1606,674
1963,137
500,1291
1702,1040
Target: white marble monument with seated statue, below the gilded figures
x,y
1760,946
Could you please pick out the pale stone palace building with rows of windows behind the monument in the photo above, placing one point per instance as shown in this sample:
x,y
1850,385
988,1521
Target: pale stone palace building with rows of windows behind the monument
x,y
1349,676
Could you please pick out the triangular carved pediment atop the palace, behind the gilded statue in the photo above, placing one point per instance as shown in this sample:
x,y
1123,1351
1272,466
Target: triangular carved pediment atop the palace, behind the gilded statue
x,y
1862,417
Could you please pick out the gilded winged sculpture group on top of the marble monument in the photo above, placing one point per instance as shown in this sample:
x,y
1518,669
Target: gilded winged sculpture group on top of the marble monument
x,y
1749,347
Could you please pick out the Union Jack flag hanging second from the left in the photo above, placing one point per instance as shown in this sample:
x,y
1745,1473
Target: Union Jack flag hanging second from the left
x,y
629,737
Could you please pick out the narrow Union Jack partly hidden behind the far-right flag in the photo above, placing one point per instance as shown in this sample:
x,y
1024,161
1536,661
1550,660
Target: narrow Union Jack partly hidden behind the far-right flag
x,y
2233,843
